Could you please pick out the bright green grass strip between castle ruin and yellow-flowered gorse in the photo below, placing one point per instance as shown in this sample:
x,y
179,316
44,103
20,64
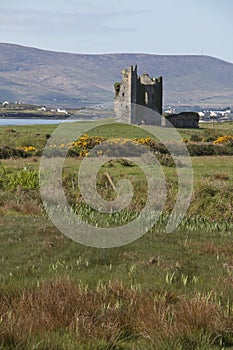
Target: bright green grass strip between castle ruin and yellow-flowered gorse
x,y
36,135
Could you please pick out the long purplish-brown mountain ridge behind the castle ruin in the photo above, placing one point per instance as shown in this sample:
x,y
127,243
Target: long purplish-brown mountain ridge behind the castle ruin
x,y
54,78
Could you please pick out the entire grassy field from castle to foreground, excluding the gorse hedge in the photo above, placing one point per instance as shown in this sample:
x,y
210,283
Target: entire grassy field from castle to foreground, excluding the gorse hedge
x,y
163,291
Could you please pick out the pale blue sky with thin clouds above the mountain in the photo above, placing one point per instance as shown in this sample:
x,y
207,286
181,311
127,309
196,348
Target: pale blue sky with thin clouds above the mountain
x,y
176,27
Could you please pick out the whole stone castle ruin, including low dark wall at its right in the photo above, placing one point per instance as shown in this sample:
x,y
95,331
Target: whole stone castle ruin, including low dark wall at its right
x,y
135,91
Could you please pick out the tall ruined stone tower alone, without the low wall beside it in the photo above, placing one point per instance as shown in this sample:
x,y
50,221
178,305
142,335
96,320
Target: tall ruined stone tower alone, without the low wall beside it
x,y
135,91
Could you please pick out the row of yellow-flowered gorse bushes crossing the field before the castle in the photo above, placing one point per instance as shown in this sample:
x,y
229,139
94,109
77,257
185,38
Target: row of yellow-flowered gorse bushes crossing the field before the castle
x,y
98,145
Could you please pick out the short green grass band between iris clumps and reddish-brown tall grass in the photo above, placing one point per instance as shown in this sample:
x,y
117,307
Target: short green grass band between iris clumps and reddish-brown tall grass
x,y
33,250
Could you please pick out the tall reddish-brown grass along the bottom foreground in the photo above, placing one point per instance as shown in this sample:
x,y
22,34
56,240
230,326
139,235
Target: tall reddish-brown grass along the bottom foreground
x,y
111,315
